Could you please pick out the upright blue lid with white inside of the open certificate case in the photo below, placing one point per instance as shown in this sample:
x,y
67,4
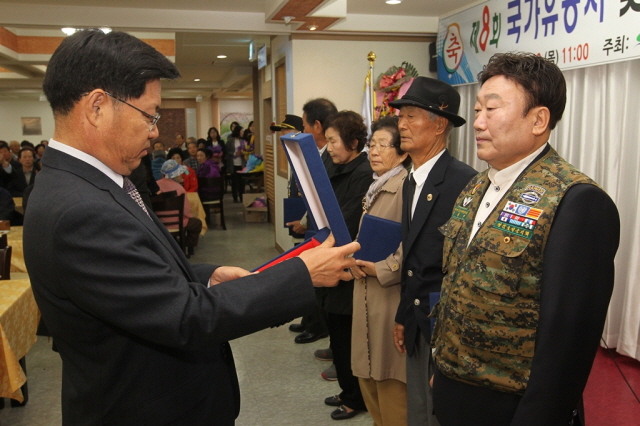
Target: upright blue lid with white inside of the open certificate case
x,y
314,184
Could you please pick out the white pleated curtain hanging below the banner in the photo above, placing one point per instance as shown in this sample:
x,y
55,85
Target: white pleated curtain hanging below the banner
x,y
598,134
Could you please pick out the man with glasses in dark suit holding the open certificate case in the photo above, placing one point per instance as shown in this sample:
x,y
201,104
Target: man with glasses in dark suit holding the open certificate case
x,y
141,332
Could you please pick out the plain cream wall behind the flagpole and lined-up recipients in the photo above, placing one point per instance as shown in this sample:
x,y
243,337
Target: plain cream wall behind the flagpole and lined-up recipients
x,y
336,70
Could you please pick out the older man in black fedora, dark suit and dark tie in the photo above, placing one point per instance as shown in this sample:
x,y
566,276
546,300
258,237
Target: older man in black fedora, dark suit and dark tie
x,y
428,112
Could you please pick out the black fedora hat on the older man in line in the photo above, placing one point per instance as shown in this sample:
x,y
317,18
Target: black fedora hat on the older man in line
x,y
435,96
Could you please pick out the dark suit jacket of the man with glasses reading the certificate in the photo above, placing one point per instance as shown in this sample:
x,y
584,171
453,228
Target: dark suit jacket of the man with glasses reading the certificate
x,y
141,337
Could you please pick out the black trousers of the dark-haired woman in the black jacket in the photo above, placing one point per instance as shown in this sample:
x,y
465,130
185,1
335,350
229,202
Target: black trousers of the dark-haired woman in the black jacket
x,y
340,336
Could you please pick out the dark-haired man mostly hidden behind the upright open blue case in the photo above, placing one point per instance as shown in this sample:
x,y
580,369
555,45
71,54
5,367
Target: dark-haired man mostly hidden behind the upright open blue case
x,y
314,114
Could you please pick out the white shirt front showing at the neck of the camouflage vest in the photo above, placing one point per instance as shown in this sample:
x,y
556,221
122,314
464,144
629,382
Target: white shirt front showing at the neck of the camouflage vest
x,y
501,181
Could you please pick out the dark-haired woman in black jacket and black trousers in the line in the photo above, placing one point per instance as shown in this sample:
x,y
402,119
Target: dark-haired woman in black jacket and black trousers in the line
x,y
346,135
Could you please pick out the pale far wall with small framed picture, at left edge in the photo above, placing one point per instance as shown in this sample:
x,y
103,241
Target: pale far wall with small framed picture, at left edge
x,y
11,126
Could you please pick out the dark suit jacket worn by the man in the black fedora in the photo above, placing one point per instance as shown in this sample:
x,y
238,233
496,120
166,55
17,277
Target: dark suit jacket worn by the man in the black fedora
x,y
422,244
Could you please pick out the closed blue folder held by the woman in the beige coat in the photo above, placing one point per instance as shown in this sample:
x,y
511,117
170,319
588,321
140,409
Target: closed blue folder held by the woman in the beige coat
x,y
378,238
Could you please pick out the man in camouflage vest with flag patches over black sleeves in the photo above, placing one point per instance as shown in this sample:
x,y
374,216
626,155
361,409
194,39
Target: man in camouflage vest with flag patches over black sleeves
x,y
528,254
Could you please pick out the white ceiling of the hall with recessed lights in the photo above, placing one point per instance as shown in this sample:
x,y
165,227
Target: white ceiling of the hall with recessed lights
x,y
202,29
